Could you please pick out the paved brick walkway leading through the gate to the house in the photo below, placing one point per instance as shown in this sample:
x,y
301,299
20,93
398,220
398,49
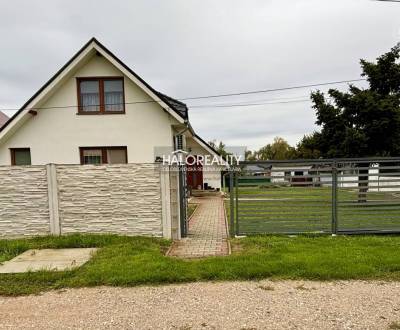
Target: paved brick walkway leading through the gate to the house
x,y
207,231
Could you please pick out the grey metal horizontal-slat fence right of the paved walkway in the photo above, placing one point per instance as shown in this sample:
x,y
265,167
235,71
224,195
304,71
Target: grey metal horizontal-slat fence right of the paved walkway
x,y
337,196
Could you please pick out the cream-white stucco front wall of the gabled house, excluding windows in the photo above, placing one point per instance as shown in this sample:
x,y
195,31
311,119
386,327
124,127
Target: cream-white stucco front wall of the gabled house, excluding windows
x,y
55,135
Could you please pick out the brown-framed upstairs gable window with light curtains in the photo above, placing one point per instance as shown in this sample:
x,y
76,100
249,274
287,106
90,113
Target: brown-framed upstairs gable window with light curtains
x,y
101,95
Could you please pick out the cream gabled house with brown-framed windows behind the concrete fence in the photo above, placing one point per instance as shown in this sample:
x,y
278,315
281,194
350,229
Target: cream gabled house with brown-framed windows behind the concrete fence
x,y
96,110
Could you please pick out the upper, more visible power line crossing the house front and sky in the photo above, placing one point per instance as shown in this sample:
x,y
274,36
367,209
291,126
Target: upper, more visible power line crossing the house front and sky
x,y
206,96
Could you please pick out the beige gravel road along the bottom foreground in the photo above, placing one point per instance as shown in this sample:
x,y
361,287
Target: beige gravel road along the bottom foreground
x,y
227,305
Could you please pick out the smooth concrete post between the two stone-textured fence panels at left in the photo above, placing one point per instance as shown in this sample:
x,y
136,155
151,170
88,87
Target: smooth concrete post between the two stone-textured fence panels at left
x,y
52,193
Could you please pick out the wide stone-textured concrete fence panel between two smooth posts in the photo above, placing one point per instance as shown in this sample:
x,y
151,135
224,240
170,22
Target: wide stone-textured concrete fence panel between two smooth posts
x,y
123,199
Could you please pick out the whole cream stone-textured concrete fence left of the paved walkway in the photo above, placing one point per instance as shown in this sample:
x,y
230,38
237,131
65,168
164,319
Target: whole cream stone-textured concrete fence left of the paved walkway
x,y
128,199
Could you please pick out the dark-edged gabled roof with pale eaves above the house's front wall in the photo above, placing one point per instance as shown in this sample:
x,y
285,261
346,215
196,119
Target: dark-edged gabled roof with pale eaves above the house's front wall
x,y
175,107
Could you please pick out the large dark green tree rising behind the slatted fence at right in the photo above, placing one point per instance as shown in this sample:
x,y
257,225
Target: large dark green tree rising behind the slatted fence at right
x,y
360,122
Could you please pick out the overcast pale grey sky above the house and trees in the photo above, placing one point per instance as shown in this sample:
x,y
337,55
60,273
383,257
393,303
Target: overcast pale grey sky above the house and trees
x,y
190,48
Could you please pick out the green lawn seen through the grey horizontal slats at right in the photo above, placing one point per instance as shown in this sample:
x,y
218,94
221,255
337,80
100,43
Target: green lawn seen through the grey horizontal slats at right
x,y
283,209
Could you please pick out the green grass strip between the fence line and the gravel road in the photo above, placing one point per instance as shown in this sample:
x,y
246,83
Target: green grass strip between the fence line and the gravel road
x,y
130,261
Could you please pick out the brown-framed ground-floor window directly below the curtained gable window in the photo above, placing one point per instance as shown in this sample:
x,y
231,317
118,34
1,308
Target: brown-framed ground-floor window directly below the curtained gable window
x,y
103,155
